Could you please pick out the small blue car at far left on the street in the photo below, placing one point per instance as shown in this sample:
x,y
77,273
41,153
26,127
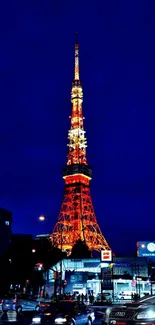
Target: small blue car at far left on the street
x,y
19,303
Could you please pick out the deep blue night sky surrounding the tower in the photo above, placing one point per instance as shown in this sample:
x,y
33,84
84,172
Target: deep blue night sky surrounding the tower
x,y
117,67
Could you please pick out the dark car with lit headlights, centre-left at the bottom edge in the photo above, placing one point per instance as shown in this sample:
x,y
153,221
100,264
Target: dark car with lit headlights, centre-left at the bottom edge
x,y
65,312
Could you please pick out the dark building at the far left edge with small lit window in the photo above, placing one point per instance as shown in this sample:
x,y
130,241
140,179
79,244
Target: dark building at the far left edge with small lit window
x,y
5,230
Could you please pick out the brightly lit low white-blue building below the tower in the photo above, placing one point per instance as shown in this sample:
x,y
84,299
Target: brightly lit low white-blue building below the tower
x,y
129,274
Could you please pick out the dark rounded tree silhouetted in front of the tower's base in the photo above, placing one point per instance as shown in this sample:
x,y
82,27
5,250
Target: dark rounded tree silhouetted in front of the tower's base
x,y
80,250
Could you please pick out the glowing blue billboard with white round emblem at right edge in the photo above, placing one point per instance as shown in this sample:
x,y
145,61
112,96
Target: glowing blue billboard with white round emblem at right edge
x,y
146,249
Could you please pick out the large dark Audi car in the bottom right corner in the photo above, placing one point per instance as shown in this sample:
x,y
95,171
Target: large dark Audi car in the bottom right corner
x,y
130,312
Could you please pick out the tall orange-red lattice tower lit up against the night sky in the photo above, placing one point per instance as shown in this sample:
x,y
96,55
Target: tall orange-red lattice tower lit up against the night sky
x,y
77,218
